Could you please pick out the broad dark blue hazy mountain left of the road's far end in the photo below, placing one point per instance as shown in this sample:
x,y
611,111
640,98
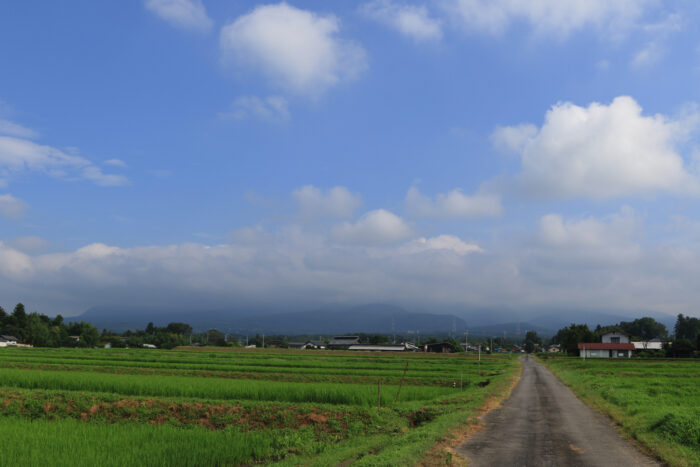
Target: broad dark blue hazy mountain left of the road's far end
x,y
373,318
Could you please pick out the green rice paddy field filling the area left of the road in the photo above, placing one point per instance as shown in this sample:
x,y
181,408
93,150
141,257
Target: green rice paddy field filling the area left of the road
x,y
115,407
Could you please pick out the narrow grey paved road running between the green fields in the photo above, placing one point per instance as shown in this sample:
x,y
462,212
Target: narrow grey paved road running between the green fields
x,y
543,423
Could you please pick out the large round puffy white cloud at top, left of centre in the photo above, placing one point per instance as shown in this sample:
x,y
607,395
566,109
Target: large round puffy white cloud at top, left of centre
x,y
296,49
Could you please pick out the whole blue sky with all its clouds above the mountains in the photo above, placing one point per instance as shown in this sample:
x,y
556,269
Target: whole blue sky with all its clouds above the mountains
x,y
441,155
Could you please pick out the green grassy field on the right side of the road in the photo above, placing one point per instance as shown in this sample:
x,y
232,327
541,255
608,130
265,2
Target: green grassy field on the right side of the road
x,y
656,402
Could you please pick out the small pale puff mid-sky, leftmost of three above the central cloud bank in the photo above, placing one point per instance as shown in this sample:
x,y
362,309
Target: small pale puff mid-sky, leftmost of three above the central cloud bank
x,y
335,202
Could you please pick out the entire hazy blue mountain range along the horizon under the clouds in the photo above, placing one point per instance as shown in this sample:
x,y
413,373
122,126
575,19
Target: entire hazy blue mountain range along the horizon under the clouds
x,y
371,318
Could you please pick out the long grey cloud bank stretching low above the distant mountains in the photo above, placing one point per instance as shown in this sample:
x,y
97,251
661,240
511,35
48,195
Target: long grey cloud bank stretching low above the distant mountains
x,y
591,262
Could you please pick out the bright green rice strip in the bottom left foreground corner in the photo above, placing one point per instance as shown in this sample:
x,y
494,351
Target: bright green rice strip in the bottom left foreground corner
x,y
73,443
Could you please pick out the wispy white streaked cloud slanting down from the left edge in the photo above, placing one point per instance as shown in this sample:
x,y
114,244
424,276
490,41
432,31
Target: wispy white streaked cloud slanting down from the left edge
x,y
18,155
